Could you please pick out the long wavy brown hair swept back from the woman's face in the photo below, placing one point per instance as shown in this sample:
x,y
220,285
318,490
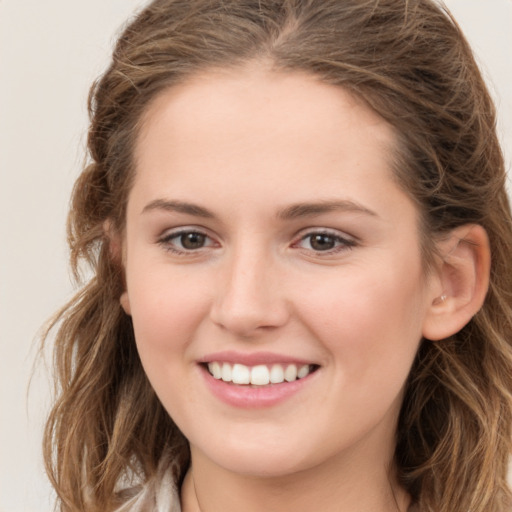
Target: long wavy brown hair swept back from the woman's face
x,y
410,62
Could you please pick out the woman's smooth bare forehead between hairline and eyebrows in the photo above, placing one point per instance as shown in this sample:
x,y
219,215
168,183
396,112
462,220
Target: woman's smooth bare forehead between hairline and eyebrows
x,y
285,137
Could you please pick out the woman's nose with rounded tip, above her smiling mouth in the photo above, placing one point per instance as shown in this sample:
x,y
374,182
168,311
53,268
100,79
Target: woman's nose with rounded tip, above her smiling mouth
x,y
250,296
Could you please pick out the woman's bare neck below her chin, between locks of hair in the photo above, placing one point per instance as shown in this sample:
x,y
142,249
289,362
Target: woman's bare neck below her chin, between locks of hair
x,y
330,488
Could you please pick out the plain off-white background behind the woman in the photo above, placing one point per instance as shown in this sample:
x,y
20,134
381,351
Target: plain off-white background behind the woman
x,y
50,51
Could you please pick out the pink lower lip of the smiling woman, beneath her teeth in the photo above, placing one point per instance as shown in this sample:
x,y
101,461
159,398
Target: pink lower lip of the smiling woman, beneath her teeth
x,y
254,397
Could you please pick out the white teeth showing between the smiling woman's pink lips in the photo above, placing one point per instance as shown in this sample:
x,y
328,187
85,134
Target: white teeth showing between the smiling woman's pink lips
x,y
259,375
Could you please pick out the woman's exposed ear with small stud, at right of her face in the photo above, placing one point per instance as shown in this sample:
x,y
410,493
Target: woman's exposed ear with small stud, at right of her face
x,y
462,281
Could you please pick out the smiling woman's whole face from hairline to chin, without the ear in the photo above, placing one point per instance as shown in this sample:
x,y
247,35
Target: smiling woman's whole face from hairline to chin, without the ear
x,y
273,270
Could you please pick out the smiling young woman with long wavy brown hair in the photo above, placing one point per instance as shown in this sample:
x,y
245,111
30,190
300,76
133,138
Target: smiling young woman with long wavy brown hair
x,y
296,217
